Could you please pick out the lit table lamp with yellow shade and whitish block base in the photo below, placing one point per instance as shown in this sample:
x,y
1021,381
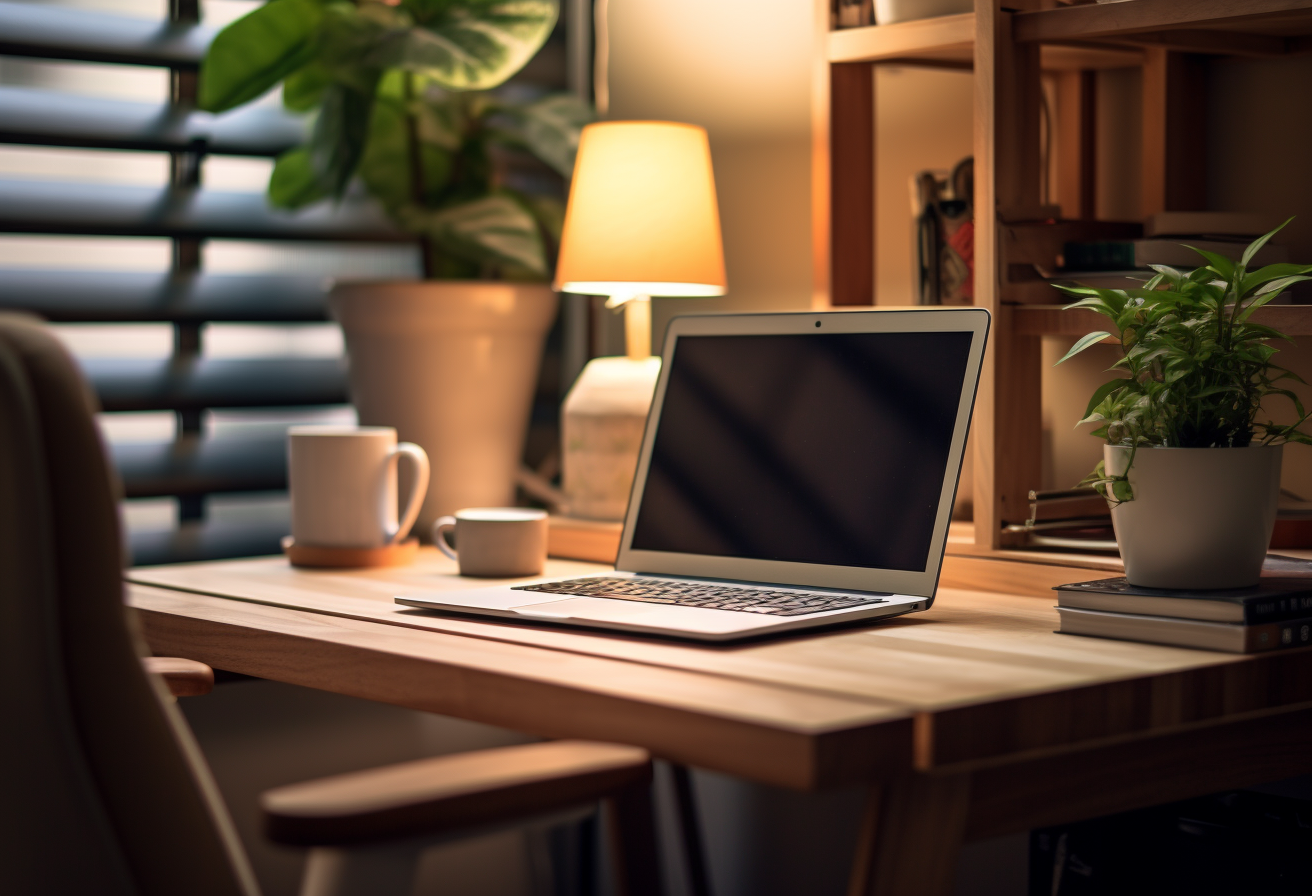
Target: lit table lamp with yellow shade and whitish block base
x,y
642,221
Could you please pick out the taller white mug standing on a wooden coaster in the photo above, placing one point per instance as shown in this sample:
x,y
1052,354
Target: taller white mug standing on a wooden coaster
x,y
344,486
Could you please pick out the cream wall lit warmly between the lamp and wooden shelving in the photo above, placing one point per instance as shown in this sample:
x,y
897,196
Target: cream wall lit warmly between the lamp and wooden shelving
x,y
742,70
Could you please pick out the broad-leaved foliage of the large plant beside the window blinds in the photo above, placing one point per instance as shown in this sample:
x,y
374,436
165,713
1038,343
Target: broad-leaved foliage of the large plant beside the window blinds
x,y
402,95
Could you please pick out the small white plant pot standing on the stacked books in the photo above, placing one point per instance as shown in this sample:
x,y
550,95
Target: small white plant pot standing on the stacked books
x,y
1201,519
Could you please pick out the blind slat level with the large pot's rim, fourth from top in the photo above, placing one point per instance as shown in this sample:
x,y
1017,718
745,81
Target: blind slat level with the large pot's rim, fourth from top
x,y
132,297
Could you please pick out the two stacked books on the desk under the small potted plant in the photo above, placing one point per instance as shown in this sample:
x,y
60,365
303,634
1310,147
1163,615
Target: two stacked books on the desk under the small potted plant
x,y
1272,616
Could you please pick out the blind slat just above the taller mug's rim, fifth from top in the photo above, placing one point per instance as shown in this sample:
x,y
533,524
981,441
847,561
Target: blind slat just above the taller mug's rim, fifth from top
x,y
199,384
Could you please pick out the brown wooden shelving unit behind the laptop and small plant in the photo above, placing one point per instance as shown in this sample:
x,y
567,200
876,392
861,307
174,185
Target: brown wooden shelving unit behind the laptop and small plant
x,y
1010,51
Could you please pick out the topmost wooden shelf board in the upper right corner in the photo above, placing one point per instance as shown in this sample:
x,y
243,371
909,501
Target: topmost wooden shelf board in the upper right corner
x,y
1244,27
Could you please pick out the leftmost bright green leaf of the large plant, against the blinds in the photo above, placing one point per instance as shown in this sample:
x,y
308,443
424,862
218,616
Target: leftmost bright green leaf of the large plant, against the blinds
x,y
256,52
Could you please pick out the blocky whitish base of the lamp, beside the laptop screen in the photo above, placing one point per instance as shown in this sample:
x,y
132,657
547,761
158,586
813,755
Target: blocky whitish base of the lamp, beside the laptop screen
x,y
603,424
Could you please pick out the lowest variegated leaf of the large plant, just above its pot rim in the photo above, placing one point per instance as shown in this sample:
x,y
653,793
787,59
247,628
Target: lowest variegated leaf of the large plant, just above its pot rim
x,y
497,230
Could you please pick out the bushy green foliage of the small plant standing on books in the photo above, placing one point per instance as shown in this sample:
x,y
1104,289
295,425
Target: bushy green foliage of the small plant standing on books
x,y
1196,367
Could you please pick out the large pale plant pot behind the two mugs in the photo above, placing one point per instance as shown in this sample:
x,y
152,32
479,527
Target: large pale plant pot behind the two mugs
x,y
453,367
